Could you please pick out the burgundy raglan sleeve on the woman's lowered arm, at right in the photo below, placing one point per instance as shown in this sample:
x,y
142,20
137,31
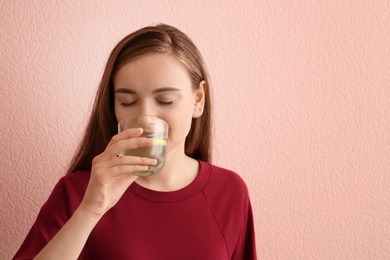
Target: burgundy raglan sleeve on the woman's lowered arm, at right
x,y
228,197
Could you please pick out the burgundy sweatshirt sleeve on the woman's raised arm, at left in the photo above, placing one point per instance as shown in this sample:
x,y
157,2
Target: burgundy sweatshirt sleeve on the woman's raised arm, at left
x,y
52,216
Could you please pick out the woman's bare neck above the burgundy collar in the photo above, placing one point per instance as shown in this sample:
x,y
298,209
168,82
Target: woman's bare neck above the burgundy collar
x,y
179,171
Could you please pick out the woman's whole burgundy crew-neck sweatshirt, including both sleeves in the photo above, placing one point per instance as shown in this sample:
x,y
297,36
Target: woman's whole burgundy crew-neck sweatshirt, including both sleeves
x,y
211,218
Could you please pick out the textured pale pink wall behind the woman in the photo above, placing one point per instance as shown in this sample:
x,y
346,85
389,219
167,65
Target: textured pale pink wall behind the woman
x,y
302,101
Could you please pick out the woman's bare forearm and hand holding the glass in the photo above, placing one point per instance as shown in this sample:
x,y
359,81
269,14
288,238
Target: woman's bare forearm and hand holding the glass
x,y
111,175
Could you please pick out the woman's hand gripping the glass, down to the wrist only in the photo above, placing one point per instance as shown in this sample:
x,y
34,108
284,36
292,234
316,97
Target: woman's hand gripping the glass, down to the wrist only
x,y
111,174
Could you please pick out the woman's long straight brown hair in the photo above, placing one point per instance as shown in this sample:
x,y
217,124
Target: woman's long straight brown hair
x,y
102,124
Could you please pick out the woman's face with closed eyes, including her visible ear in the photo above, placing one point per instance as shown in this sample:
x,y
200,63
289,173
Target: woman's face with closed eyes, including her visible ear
x,y
159,85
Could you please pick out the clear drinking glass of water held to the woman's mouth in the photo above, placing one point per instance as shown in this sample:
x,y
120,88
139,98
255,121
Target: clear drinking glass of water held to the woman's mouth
x,y
153,127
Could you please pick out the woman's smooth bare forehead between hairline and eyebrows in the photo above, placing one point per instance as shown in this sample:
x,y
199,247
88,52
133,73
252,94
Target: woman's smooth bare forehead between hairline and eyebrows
x,y
152,70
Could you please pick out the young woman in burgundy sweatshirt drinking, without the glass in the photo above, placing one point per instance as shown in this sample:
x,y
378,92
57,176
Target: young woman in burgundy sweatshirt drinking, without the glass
x,y
191,209
